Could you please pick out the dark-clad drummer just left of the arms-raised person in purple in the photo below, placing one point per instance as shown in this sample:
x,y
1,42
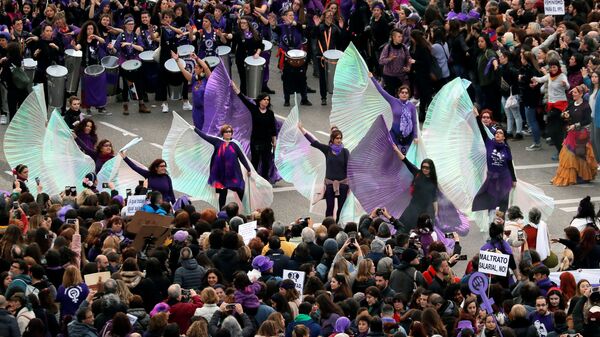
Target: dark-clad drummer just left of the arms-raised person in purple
x,y
168,43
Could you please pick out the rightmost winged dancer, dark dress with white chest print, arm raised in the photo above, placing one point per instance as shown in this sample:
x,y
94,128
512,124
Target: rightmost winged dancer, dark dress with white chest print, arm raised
x,y
500,178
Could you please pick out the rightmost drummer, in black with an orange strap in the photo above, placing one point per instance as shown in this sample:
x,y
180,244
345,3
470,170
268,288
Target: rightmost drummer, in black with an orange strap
x,y
329,36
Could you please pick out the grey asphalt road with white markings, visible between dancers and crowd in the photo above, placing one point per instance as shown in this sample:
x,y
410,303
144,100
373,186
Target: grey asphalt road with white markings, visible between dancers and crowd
x,y
533,167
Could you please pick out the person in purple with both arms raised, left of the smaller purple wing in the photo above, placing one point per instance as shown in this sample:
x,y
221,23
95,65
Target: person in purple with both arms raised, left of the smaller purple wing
x,y
199,79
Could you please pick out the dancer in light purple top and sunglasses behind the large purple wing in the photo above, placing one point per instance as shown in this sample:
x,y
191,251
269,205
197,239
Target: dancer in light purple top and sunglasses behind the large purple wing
x,y
404,125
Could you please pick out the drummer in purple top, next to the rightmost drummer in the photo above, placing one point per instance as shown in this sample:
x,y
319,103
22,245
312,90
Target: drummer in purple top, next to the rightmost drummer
x,y
290,37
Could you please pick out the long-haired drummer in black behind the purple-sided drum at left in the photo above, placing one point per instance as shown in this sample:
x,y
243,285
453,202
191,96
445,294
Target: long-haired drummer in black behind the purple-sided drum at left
x,y
90,44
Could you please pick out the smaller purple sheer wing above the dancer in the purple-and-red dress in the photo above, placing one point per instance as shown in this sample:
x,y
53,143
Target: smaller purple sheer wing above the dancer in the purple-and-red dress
x,y
223,106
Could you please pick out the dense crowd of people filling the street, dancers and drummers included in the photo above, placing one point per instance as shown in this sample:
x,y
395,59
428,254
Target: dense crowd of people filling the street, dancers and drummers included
x,y
532,75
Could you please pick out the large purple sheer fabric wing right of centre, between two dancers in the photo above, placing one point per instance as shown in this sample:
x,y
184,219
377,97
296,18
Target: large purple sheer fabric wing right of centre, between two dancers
x,y
374,170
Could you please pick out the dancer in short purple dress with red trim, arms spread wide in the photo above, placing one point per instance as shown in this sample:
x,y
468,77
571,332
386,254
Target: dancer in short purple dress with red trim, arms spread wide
x,y
225,171
